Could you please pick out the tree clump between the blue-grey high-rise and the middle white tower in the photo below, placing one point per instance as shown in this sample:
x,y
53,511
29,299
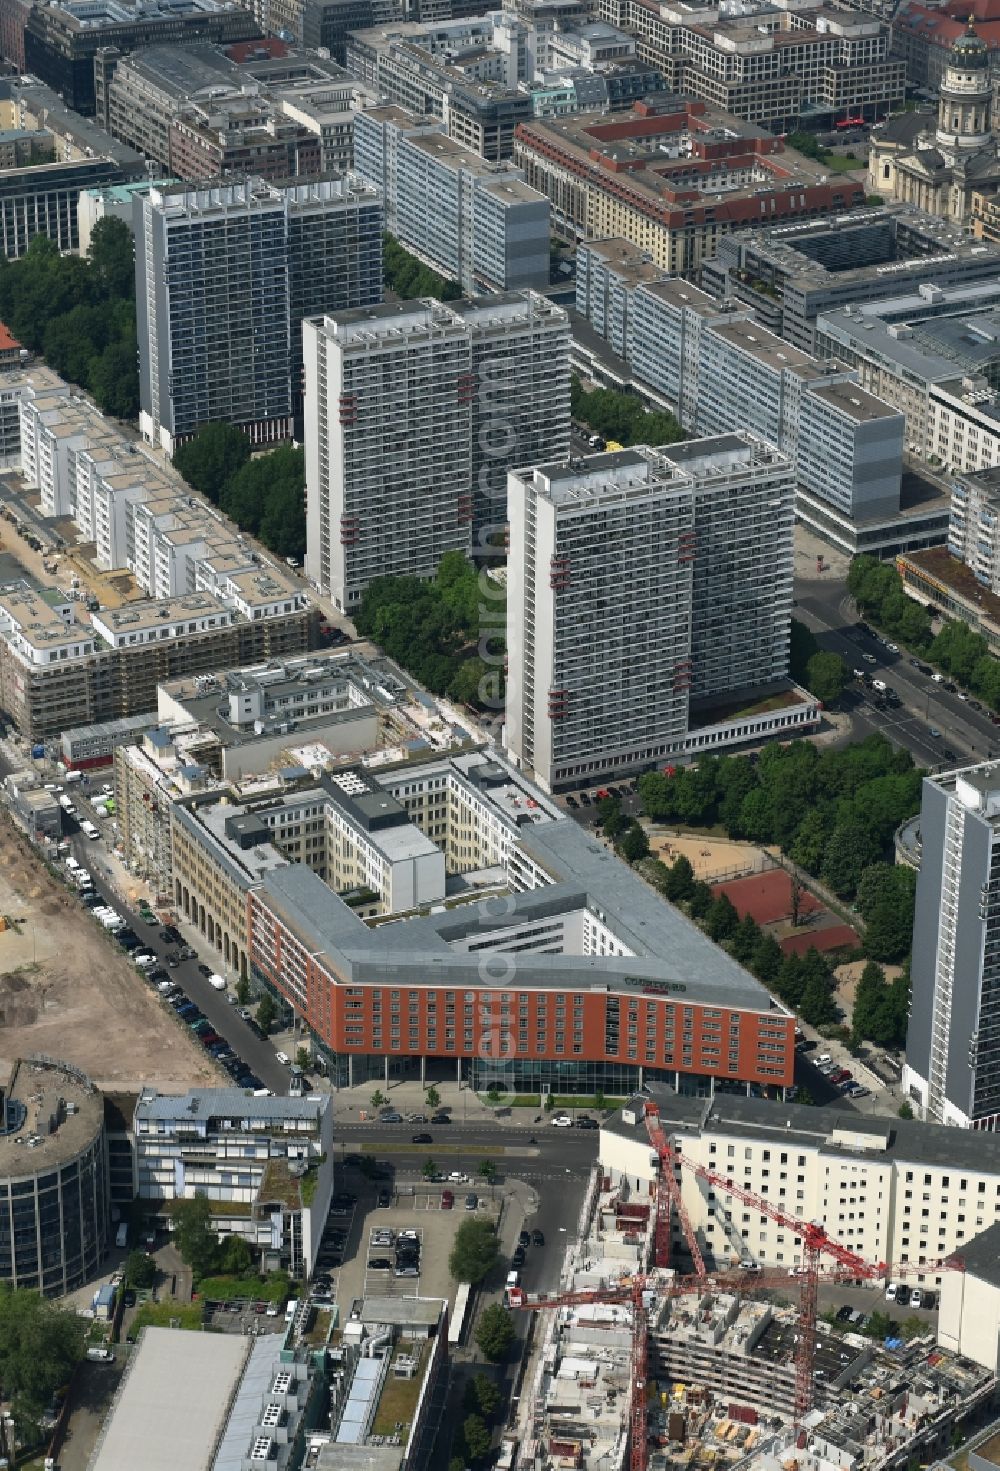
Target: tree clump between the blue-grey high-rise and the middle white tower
x,y
265,495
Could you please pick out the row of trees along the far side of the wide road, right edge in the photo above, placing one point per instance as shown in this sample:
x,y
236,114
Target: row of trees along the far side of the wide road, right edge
x,y
962,654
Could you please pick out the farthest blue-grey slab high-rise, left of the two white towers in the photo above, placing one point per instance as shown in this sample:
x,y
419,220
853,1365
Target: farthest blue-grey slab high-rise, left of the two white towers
x,y
226,276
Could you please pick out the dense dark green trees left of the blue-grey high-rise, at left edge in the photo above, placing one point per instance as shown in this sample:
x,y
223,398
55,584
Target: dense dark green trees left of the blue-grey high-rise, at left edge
x,y
80,313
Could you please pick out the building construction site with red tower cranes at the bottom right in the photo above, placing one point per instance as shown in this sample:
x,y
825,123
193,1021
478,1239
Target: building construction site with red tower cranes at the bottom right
x,y
643,1367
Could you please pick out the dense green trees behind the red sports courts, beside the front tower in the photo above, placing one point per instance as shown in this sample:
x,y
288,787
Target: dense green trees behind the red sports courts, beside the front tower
x,y
833,813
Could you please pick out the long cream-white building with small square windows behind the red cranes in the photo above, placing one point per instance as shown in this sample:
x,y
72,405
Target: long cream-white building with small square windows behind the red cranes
x,y
890,1189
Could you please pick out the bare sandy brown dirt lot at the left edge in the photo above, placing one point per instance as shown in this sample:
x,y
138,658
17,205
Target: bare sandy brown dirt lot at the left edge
x,y
70,992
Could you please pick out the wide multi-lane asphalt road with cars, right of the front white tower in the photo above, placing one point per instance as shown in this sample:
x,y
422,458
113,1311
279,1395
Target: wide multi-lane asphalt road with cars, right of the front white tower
x,y
829,613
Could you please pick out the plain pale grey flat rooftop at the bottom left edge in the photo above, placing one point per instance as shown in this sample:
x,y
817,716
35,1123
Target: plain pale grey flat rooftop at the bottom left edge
x,y
173,1403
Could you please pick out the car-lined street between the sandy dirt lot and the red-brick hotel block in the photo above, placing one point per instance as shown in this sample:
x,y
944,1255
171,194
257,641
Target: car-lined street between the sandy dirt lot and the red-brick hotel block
x,y
223,1016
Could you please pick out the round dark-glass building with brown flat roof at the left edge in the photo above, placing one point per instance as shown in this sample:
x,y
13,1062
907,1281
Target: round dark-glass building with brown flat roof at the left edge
x,y
55,1197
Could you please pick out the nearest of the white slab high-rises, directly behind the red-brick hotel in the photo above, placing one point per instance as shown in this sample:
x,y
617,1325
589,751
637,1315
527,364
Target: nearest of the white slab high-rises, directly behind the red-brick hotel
x,y
682,552
